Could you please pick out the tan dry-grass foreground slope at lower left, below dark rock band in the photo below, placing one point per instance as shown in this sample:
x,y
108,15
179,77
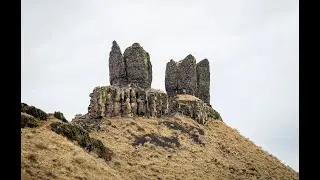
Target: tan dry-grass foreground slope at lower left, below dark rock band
x,y
47,155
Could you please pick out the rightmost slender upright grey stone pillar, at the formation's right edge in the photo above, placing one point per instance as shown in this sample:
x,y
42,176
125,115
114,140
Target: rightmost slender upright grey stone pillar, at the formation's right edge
x,y
203,81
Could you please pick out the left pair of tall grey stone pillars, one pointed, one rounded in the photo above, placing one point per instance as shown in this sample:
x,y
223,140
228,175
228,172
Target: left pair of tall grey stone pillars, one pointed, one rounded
x,y
133,68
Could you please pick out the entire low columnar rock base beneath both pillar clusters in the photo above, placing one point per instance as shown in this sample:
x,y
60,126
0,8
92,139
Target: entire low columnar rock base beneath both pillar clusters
x,y
111,101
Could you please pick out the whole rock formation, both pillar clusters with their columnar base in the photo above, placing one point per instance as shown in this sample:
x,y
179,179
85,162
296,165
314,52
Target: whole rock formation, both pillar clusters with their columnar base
x,y
130,93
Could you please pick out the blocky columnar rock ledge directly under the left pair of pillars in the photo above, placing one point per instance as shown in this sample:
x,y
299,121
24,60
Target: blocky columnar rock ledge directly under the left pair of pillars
x,y
109,101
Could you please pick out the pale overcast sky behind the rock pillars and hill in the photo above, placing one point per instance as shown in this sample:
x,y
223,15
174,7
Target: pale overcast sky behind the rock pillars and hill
x,y
252,46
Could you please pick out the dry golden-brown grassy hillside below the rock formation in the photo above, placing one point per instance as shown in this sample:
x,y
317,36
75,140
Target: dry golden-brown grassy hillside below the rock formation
x,y
166,148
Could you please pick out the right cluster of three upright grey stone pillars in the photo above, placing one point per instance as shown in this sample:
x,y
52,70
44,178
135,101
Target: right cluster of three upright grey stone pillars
x,y
187,77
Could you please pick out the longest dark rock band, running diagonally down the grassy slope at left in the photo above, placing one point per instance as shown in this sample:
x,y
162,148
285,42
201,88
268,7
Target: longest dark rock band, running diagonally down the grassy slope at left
x,y
81,136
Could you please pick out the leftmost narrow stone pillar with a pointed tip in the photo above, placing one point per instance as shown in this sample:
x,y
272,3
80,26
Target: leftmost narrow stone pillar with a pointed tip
x,y
117,69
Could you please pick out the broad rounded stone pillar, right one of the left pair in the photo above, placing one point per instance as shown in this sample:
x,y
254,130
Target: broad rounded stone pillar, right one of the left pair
x,y
138,66
